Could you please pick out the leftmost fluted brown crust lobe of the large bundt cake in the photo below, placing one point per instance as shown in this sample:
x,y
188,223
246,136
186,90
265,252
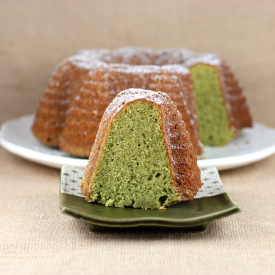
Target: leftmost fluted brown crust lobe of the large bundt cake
x,y
58,96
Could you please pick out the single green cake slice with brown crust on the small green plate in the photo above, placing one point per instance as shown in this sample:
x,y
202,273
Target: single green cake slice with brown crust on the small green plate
x,y
142,156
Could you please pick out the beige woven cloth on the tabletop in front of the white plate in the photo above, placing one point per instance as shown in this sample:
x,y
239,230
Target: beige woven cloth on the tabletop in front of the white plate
x,y
36,238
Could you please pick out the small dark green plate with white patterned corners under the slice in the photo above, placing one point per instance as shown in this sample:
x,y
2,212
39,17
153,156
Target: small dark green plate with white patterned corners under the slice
x,y
211,202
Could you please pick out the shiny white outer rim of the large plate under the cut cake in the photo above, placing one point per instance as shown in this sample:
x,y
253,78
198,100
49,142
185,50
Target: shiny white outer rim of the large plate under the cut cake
x,y
58,161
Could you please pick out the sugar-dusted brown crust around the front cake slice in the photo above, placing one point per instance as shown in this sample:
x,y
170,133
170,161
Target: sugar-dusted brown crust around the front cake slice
x,y
182,158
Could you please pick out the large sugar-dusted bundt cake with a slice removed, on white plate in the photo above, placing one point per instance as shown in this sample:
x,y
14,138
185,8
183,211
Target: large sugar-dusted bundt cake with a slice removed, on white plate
x,y
83,85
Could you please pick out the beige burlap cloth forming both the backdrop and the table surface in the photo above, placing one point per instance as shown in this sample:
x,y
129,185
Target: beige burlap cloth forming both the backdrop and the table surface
x,y
35,35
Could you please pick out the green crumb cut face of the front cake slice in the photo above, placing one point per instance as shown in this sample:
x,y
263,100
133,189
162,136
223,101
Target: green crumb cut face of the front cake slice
x,y
134,169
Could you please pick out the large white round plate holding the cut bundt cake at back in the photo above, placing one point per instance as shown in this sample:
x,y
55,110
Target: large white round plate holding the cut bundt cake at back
x,y
249,146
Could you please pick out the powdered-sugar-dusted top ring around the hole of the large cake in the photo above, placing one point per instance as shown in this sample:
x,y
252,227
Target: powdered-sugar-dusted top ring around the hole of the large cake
x,y
135,60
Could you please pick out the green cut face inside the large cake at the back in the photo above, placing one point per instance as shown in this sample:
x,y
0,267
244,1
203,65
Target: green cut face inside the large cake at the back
x,y
214,124
